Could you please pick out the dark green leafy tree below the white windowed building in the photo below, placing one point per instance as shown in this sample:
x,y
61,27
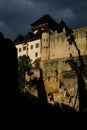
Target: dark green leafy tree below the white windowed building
x,y
24,63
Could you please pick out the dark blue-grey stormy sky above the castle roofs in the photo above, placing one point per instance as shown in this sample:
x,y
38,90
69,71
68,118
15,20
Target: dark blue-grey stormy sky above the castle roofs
x,y
17,15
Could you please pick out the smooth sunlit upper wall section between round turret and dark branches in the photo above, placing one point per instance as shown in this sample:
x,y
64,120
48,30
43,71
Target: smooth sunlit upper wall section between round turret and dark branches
x,y
59,48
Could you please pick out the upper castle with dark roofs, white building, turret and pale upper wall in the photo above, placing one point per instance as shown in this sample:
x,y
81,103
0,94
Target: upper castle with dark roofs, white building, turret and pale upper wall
x,y
48,40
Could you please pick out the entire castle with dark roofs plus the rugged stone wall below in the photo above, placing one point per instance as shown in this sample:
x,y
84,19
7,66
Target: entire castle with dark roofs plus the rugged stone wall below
x,y
48,42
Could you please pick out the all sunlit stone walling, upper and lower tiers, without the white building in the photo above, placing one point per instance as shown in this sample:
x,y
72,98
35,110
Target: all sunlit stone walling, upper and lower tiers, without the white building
x,y
60,82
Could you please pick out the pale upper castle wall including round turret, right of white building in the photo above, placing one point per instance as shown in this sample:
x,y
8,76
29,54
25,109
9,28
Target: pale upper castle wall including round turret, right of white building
x,y
59,47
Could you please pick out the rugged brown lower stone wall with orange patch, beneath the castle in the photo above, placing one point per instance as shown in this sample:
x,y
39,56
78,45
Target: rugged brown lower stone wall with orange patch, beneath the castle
x,y
56,72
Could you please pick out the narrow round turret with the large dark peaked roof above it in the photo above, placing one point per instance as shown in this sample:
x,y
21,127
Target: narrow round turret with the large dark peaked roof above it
x,y
47,25
